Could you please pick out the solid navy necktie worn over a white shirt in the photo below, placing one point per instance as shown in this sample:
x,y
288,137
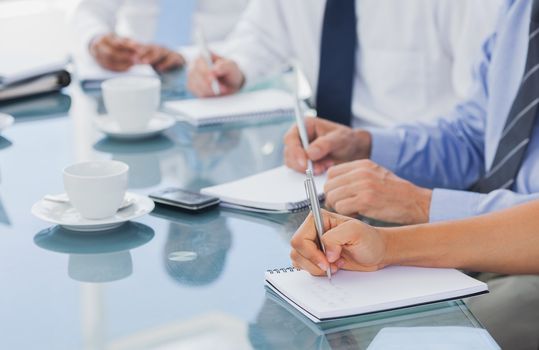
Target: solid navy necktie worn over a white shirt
x,y
337,61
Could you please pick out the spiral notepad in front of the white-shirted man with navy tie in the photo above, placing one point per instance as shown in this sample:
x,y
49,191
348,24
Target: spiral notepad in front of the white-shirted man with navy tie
x,y
262,104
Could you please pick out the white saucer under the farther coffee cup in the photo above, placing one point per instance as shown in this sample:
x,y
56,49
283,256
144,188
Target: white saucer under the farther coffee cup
x,y
159,123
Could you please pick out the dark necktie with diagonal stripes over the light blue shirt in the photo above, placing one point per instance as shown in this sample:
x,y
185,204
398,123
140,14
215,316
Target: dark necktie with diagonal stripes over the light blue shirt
x,y
518,127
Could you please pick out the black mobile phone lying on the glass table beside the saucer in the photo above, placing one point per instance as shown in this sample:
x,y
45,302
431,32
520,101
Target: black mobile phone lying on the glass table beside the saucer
x,y
177,197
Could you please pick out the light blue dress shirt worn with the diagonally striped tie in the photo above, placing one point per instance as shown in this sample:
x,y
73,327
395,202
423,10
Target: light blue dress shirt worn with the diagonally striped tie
x,y
453,152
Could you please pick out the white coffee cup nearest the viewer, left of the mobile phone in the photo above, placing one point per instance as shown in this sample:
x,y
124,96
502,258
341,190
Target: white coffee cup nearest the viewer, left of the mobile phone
x,y
96,189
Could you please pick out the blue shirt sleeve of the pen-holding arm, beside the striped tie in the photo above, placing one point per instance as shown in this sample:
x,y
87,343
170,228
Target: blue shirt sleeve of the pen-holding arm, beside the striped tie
x,y
447,152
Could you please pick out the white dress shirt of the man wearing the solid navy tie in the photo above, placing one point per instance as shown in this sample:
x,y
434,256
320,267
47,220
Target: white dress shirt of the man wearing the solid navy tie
x,y
414,58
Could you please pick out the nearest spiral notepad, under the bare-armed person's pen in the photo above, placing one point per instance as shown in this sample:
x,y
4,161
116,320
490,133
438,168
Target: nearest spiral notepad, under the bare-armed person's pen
x,y
353,293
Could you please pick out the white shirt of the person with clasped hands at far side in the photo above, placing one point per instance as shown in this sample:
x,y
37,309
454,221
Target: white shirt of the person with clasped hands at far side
x,y
137,19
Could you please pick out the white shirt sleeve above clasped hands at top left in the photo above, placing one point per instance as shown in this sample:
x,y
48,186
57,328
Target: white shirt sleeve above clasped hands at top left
x,y
90,19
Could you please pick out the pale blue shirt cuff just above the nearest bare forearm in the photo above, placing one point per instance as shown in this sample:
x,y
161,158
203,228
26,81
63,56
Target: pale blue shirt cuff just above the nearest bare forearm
x,y
453,204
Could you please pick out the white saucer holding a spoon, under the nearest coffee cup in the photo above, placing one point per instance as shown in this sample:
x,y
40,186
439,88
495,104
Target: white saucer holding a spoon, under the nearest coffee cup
x,y
65,215
